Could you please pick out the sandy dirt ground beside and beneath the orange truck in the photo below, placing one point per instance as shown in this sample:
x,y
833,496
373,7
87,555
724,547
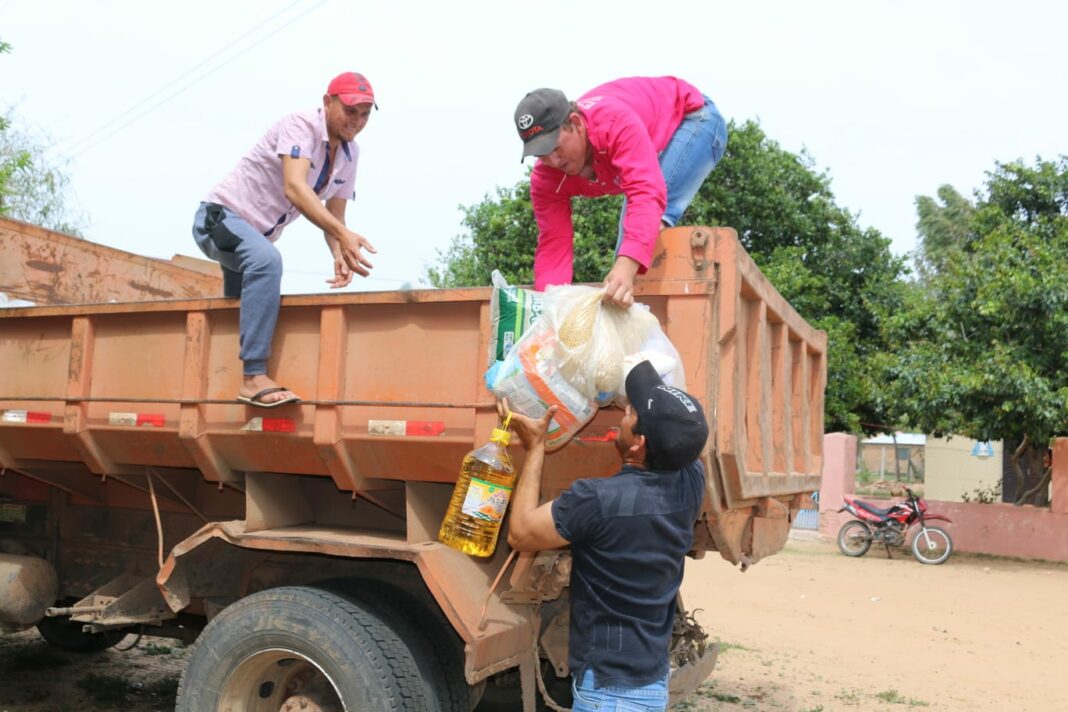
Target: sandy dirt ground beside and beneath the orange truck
x,y
805,631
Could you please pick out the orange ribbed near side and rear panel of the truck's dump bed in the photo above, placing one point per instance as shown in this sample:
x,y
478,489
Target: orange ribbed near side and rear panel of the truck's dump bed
x,y
362,359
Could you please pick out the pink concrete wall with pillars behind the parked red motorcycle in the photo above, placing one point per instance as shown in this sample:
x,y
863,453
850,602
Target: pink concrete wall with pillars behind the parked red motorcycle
x,y
1003,530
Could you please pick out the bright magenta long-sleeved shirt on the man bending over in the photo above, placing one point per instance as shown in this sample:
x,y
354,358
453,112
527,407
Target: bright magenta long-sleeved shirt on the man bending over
x,y
629,123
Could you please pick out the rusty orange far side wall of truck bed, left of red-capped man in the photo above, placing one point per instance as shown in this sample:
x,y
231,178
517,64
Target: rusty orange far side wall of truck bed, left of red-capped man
x,y
46,267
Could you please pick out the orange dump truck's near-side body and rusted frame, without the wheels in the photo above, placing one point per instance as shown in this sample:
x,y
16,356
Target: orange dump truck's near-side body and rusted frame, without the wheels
x,y
160,501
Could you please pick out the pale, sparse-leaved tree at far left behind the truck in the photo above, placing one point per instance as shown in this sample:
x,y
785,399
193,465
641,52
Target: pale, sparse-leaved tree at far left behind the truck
x,y
33,185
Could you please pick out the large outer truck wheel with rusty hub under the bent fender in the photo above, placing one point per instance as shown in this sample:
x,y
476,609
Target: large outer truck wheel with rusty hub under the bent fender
x,y
296,648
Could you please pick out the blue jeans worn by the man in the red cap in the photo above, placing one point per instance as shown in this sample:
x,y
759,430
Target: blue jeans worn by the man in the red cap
x,y
252,271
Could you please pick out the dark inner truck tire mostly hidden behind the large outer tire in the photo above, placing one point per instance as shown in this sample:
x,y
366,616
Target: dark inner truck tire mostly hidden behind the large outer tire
x,y
437,650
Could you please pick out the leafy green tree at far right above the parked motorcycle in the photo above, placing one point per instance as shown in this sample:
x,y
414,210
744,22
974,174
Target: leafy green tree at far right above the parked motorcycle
x,y
986,346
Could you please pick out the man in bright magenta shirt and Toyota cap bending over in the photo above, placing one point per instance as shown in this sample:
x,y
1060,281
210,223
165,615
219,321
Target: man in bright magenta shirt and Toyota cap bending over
x,y
653,139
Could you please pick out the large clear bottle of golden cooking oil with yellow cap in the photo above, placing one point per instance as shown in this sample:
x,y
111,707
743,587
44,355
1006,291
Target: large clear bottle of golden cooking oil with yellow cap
x,y
481,498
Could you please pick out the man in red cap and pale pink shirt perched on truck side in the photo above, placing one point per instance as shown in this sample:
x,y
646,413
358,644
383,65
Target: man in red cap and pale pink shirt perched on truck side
x,y
305,166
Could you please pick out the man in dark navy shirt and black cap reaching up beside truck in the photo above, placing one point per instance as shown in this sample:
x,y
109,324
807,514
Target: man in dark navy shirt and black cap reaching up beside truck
x,y
630,535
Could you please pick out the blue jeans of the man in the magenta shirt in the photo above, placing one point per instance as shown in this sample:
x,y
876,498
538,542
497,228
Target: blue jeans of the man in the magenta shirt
x,y
695,150
